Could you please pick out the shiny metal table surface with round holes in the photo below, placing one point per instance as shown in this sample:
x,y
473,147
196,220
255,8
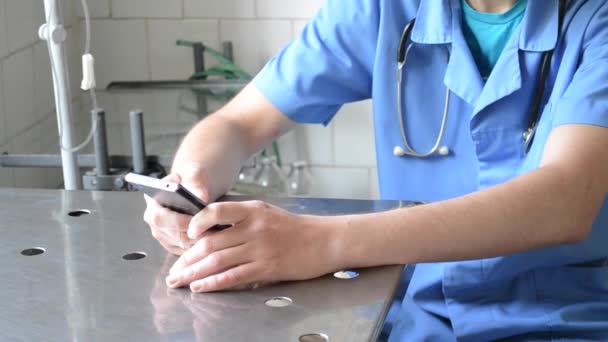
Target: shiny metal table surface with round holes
x,y
82,289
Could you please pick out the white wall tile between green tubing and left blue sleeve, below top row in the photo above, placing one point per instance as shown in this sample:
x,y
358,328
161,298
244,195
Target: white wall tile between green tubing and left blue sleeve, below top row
x,y
255,41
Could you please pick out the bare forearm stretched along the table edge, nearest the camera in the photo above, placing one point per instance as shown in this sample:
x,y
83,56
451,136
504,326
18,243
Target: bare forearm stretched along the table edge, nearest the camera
x,y
530,212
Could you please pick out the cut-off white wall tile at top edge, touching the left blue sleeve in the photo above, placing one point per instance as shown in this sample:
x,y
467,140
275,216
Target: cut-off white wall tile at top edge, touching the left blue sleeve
x,y
288,9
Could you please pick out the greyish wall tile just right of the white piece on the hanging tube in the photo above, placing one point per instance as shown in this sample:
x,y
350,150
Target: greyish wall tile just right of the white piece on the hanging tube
x,y
125,58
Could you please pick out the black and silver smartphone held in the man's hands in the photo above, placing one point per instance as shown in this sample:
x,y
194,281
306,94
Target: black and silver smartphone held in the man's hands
x,y
170,195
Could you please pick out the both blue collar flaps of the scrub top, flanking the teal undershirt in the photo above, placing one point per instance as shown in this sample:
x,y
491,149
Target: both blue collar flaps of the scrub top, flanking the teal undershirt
x,y
538,28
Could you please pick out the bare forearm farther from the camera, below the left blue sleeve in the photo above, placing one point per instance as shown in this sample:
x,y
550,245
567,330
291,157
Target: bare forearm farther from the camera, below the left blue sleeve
x,y
222,143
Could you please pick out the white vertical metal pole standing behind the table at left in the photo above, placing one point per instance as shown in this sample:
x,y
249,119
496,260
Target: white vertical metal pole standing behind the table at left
x,y
63,105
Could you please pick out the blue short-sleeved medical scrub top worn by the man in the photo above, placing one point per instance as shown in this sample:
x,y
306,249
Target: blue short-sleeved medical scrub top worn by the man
x,y
348,52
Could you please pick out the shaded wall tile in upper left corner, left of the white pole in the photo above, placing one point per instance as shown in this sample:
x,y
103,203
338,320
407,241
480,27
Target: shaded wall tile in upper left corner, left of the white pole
x,y
22,23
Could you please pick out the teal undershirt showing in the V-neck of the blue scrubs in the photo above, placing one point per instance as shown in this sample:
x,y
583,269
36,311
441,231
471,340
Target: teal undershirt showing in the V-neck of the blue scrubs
x,y
487,34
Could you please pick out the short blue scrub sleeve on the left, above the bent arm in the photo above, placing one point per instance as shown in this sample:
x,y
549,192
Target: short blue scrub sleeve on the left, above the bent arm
x,y
329,64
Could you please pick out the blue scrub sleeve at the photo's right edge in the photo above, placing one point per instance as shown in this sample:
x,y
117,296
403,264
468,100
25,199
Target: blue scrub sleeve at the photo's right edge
x,y
586,98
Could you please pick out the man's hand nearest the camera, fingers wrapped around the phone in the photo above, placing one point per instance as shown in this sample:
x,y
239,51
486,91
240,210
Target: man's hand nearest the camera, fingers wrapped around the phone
x,y
265,244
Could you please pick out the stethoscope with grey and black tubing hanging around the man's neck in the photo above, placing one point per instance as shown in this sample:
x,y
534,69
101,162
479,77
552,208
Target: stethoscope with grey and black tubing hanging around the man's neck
x,y
438,149
